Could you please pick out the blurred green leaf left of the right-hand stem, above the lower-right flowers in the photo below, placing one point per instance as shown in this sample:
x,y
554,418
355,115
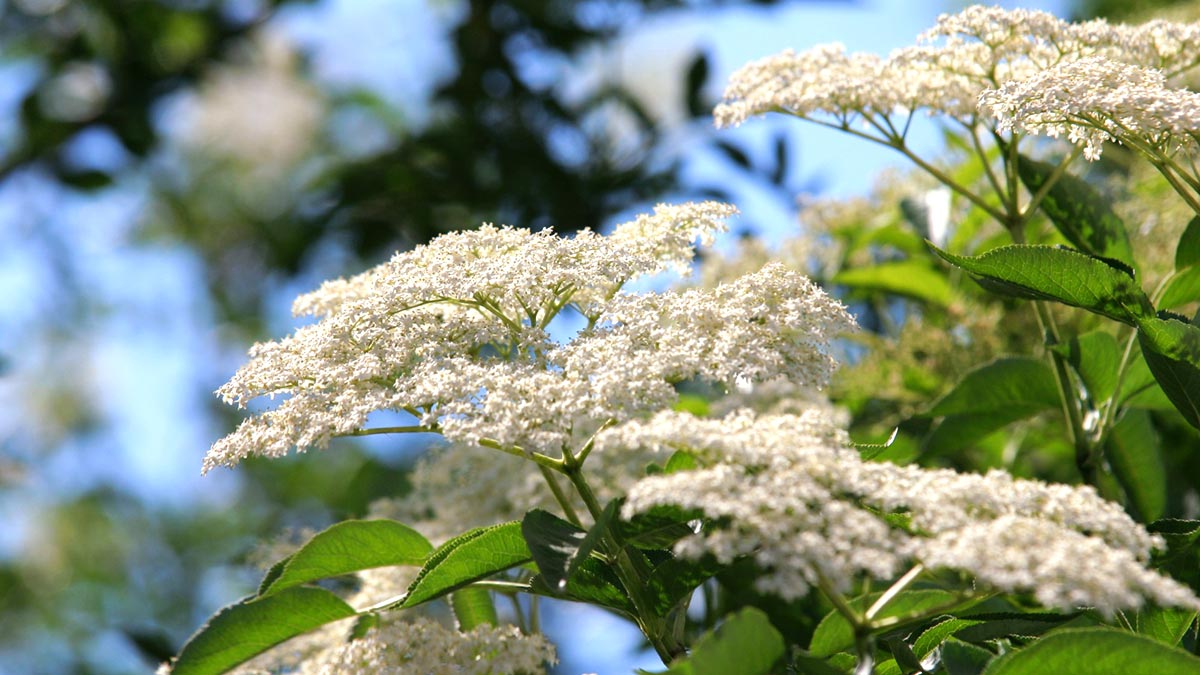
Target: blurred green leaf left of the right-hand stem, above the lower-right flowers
x,y
989,398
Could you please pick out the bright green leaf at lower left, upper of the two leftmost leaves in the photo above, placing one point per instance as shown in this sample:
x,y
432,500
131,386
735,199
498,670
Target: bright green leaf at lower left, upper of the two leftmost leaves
x,y
345,548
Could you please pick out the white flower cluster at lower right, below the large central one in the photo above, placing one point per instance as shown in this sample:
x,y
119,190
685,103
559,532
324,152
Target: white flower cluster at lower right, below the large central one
x,y
790,493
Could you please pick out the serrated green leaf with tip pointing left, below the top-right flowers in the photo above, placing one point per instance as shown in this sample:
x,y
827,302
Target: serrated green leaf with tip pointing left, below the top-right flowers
x,y
1064,276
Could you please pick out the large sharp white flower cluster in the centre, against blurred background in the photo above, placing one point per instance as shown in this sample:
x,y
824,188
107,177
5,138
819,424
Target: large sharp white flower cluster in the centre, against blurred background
x,y
457,333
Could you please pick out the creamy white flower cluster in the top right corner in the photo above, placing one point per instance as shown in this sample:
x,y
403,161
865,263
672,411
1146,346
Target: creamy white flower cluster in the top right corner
x,y
962,58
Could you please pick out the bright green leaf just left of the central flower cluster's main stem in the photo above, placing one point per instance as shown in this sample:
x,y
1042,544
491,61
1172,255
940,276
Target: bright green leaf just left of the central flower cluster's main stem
x,y
469,558
